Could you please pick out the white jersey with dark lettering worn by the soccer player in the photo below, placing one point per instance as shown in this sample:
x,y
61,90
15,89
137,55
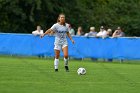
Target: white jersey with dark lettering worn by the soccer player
x,y
60,33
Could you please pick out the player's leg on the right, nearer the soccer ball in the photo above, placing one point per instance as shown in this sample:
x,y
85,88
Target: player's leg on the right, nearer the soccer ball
x,y
65,51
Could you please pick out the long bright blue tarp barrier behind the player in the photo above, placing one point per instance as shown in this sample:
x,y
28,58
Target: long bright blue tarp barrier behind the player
x,y
84,47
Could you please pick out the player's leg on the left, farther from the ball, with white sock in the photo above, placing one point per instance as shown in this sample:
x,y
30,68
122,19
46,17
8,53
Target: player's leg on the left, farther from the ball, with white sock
x,y
57,54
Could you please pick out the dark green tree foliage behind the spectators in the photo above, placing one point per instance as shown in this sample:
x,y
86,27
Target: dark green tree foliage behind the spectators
x,y
22,16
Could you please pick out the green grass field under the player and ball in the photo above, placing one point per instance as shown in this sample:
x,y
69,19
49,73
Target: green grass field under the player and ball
x,y
32,75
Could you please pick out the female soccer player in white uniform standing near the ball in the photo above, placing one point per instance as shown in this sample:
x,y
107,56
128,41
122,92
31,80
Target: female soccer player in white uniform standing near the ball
x,y
61,31
